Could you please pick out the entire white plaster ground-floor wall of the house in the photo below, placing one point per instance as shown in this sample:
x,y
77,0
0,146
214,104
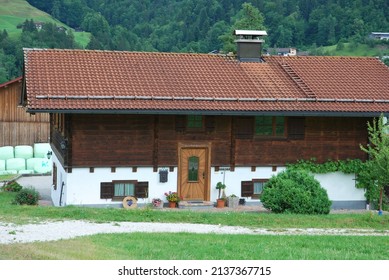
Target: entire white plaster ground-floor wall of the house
x,y
82,187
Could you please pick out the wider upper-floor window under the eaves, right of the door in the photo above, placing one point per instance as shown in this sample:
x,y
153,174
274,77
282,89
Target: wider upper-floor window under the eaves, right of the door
x,y
270,126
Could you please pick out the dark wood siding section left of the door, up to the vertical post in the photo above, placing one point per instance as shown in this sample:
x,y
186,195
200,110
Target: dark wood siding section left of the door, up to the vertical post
x,y
112,140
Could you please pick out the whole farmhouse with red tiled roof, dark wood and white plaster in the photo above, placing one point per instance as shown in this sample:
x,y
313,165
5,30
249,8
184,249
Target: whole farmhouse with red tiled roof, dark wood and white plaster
x,y
144,123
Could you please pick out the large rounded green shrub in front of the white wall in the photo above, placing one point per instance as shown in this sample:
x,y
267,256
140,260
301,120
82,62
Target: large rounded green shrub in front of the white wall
x,y
295,191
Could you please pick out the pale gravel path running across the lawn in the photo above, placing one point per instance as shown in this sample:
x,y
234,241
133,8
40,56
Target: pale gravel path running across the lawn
x,y
50,231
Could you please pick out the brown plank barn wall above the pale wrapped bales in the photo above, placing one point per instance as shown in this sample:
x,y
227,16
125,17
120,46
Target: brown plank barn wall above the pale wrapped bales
x,y
18,127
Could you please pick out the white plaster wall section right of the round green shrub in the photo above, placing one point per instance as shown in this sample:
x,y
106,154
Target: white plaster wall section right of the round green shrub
x,y
340,186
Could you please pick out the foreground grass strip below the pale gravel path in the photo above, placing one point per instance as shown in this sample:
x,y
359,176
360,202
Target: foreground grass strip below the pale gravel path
x,y
187,246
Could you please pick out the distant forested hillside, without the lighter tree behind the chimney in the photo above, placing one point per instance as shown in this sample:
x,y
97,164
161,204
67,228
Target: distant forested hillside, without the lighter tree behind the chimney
x,y
194,25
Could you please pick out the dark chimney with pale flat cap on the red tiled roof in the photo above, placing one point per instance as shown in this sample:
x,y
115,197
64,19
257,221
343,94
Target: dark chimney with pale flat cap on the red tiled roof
x,y
249,45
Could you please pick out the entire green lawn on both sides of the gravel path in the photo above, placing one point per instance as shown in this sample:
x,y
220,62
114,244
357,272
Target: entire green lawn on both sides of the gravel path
x,y
188,246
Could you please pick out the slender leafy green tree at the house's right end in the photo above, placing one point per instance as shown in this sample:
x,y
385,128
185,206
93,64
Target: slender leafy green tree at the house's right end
x,y
377,167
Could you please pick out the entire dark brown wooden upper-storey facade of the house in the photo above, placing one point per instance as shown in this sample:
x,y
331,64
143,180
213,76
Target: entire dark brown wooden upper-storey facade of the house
x,y
88,140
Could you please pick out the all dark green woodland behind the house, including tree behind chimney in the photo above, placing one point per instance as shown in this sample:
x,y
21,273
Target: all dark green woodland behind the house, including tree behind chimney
x,y
198,25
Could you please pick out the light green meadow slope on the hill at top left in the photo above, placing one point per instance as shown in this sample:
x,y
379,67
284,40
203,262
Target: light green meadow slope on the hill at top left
x,y
14,12
